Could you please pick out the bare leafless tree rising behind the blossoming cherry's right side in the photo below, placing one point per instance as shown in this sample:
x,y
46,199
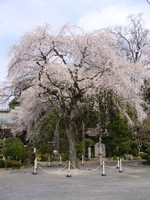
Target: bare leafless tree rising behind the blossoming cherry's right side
x,y
131,40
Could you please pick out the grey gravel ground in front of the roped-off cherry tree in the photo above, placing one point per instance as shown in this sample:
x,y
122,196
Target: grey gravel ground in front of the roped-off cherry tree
x,y
52,184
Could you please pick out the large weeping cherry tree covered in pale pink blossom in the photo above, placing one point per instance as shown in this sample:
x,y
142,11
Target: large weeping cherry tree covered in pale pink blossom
x,y
48,69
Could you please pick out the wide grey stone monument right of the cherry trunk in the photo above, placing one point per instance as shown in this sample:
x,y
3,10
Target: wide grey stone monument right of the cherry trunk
x,y
100,149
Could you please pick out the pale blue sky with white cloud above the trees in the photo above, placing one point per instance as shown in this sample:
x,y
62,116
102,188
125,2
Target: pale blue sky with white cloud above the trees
x,y
18,17
